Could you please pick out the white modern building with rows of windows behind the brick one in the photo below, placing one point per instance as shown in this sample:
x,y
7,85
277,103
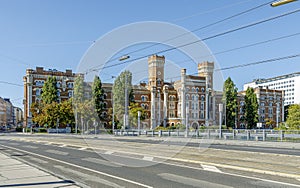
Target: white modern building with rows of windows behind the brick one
x,y
289,83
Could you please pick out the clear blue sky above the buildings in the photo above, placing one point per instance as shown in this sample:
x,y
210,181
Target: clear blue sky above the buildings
x,y
56,34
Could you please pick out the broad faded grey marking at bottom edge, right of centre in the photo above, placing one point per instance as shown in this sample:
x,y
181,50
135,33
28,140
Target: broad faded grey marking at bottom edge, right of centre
x,y
191,181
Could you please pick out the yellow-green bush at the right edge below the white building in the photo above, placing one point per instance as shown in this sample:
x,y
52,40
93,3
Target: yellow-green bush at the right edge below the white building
x,y
293,120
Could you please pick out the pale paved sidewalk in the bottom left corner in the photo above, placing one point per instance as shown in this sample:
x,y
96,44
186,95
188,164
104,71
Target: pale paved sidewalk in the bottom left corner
x,y
14,173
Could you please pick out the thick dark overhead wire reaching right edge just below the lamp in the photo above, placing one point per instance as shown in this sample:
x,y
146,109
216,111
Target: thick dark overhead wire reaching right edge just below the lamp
x,y
207,38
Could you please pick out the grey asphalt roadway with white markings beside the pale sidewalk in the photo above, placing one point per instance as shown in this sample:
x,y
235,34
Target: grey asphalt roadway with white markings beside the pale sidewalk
x,y
88,168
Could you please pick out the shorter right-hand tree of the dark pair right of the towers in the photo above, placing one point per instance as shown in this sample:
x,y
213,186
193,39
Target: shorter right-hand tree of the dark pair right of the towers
x,y
251,108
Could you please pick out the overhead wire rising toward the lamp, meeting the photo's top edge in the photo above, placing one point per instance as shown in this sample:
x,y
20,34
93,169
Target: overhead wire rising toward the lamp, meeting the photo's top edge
x,y
198,29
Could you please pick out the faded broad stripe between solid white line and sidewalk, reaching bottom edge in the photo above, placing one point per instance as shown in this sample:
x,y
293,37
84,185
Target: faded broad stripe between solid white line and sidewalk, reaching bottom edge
x,y
88,177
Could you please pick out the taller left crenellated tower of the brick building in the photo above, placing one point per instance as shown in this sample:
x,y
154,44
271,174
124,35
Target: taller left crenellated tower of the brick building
x,y
156,82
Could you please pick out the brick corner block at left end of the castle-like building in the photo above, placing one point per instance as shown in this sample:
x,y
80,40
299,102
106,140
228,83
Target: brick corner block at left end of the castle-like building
x,y
34,81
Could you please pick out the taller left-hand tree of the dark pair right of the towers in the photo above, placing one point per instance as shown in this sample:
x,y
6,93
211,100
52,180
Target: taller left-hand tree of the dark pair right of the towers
x,y
230,96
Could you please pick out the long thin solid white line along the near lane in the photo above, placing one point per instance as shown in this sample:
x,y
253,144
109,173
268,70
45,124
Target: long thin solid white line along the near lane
x,y
81,167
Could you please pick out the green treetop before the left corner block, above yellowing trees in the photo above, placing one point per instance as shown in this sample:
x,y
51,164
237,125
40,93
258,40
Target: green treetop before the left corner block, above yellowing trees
x,y
49,89
